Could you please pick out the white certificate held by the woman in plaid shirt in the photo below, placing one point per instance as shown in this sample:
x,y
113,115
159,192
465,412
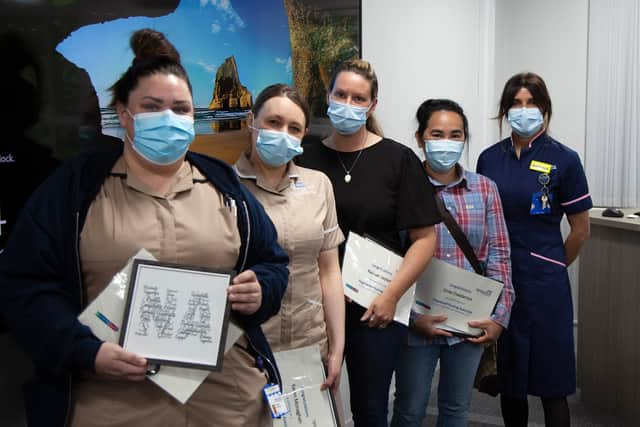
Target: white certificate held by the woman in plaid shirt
x,y
459,294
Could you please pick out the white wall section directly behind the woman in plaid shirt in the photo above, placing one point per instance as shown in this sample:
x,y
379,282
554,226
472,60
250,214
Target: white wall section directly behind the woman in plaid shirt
x,y
424,49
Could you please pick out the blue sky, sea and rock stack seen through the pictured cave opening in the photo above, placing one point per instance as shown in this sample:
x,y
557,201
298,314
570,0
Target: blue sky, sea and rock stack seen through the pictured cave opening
x,y
231,51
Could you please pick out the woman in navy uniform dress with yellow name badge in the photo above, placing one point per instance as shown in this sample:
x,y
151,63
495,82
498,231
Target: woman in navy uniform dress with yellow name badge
x,y
540,181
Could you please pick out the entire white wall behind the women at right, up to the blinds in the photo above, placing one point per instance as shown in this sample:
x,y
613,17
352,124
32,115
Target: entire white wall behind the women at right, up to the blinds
x,y
466,50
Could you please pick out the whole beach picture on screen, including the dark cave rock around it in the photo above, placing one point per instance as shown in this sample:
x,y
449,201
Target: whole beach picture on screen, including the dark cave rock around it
x,y
231,49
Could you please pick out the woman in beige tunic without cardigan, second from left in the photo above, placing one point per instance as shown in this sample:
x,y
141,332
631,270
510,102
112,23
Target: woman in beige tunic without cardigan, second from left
x,y
300,203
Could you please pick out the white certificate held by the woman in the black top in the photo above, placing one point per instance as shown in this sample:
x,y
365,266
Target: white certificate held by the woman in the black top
x,y
367,269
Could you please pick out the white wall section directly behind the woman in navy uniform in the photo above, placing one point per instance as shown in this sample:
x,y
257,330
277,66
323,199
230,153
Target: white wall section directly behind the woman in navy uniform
x,y
548,37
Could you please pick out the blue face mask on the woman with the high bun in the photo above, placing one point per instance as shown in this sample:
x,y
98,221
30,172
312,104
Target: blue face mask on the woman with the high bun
x,y
162,137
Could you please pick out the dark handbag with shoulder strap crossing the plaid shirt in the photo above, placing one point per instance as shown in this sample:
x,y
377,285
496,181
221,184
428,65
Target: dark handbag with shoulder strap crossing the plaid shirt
x,y
486,380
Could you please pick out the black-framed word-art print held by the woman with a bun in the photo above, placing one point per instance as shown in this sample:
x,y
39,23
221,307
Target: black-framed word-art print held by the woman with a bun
x,y
177,315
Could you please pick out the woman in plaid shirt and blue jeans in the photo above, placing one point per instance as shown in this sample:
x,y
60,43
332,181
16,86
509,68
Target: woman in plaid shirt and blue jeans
x,y
474,203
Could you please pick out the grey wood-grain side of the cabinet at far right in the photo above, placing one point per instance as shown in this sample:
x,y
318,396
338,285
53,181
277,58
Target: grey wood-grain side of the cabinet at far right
x,y
609,322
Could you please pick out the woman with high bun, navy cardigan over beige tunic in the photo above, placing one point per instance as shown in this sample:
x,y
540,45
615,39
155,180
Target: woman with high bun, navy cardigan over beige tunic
x,y
100,209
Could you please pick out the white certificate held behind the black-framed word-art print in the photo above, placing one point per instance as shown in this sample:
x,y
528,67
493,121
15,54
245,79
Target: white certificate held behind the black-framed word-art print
x,y
104,317
